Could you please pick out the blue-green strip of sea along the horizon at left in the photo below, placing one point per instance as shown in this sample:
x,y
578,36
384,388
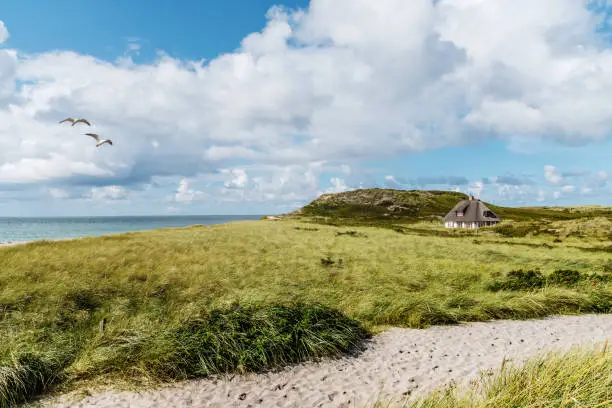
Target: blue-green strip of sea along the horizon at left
x,y
33,229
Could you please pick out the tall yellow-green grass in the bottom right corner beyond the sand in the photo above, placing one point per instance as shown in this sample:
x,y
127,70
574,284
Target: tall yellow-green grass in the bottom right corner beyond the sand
x,y
579,379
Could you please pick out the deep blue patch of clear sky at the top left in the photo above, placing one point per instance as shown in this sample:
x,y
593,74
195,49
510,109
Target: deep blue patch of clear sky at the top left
x,y
187,29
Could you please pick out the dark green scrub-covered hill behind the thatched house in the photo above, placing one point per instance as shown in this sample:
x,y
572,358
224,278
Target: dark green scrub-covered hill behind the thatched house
x,y
413,205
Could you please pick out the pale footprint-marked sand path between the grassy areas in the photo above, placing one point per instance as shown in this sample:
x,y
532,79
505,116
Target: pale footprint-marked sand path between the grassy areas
x,y
405,361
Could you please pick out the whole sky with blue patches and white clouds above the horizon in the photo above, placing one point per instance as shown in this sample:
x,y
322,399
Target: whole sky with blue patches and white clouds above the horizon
x,y
260,106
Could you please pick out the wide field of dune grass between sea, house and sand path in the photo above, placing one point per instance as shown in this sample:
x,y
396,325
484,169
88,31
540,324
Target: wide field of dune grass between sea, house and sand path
x,y
248,296
